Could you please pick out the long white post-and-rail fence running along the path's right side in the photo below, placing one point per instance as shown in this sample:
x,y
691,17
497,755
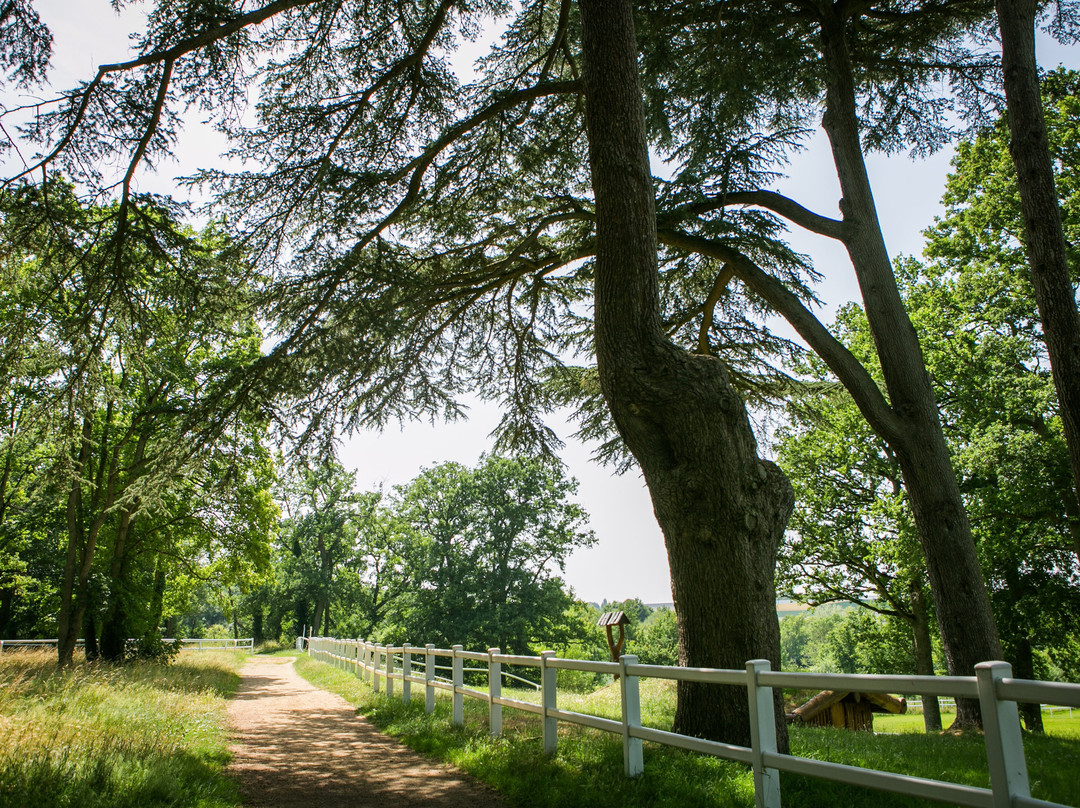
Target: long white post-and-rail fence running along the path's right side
x,y
993,685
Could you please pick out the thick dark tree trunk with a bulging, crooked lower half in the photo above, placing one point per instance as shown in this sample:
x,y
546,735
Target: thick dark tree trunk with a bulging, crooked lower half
x,y
722,509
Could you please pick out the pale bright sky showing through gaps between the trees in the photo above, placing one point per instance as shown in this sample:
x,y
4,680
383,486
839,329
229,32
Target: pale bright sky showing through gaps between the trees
x,y
629,558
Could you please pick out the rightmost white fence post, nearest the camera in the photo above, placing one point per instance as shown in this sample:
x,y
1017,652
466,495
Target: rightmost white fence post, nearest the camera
x,y
1005,746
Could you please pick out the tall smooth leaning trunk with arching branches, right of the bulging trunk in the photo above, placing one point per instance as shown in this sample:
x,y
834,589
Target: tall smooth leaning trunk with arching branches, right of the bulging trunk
x,y
956,581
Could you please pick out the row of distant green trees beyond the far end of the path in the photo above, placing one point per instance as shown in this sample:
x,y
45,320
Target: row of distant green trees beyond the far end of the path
x,y
456,556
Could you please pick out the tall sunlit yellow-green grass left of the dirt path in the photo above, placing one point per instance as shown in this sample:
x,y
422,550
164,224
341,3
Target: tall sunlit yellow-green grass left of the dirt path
x,y
116,737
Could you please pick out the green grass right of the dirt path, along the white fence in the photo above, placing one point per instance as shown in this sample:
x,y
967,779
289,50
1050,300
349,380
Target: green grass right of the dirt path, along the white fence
x,y
588,770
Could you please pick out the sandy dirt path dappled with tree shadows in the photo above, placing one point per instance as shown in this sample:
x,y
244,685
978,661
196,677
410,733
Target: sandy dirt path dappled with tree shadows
x,y
299,746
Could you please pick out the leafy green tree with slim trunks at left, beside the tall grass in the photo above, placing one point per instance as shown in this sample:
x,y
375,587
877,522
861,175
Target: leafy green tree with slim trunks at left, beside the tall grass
x,y
121,344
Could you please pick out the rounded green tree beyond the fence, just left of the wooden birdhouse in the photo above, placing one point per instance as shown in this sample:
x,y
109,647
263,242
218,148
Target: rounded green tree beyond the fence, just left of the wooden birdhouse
x,y
491,545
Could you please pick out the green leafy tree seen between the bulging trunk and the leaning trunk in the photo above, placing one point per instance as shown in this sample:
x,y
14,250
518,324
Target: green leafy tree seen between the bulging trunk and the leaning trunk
x,y
852,536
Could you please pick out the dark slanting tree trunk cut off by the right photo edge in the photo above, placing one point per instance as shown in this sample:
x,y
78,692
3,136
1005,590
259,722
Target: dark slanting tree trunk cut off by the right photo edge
x,y
1043,220
